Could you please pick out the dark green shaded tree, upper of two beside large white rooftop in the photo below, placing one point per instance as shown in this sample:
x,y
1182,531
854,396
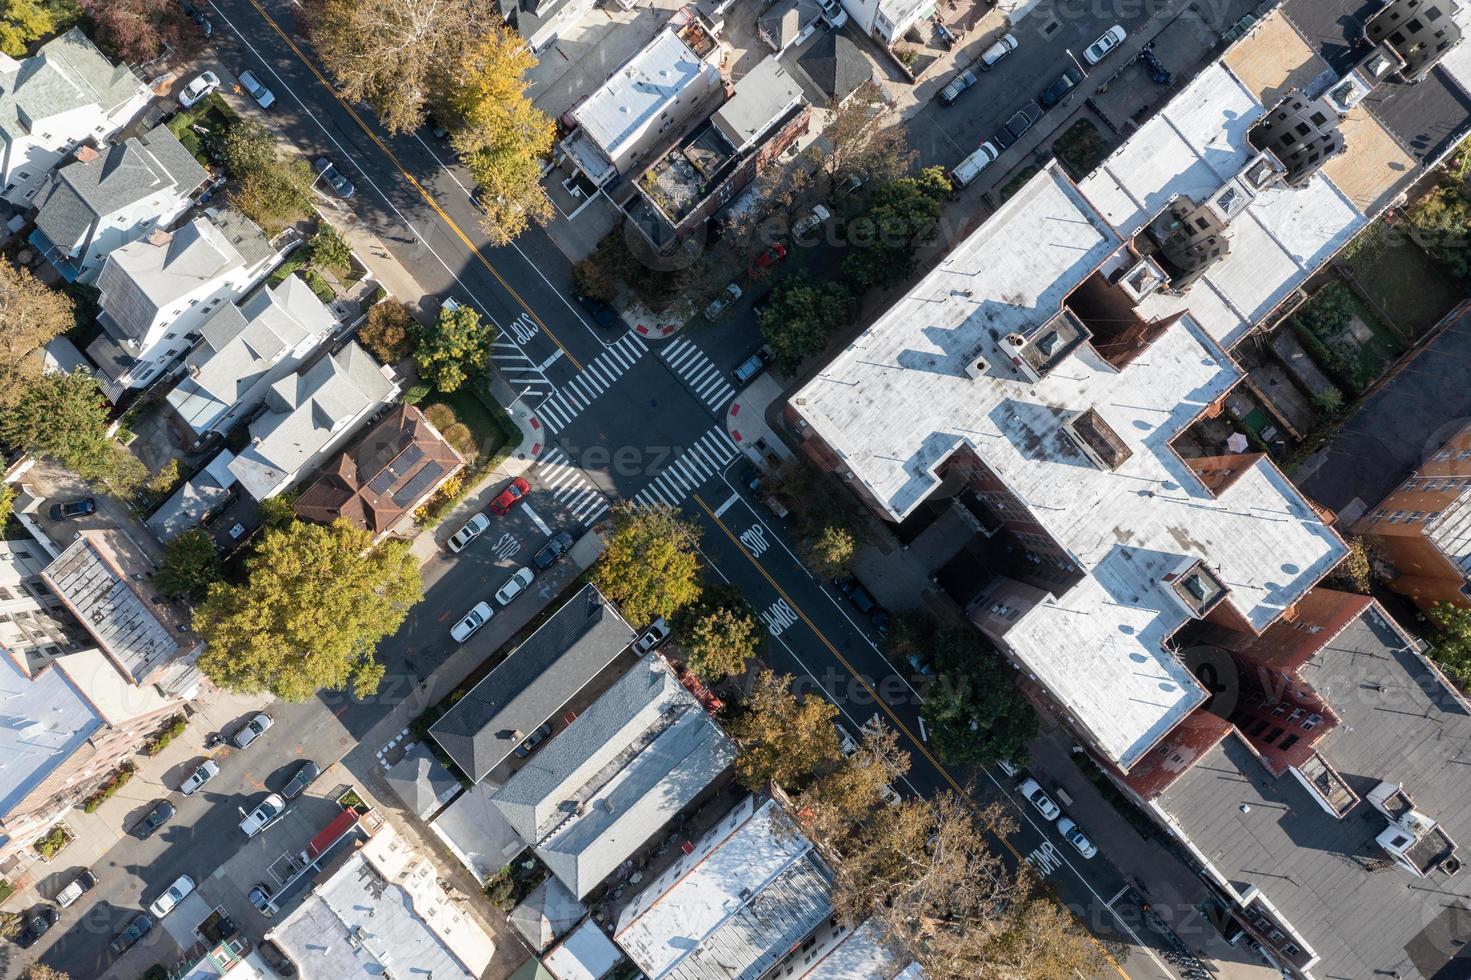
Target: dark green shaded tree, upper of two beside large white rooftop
x,y
900,216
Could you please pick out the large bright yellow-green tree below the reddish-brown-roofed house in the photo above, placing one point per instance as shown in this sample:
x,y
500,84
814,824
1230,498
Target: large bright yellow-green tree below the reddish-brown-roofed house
x,y
316,604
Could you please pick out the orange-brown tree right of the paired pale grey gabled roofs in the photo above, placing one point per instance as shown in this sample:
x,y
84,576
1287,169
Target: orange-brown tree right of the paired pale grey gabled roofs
x,y
783,741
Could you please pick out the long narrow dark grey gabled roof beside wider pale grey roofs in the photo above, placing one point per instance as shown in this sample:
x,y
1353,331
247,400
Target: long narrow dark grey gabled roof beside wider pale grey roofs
x,y
541,676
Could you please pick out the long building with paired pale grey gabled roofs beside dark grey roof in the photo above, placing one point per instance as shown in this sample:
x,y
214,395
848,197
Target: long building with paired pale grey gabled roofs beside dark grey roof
x,y
636,759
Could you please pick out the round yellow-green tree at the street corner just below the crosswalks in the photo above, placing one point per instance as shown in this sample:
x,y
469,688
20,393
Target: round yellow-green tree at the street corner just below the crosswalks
x,y
651,566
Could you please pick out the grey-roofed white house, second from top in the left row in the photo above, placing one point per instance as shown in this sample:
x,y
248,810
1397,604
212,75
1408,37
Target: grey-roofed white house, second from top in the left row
x,y
104,199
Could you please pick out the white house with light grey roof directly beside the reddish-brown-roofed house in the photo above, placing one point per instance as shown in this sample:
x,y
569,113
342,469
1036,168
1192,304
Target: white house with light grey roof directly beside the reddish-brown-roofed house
x,y
308,416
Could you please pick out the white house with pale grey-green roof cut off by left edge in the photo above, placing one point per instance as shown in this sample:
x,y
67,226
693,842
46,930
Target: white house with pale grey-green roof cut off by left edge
x,y
55,101
